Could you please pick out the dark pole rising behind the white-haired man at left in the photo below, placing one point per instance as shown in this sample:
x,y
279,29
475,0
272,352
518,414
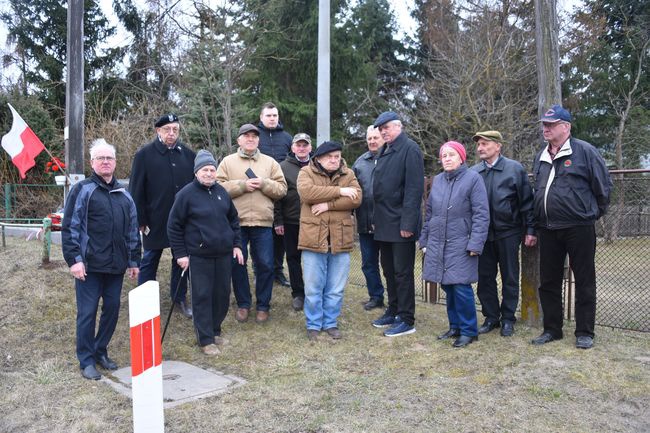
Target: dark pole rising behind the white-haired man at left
x,y
74,95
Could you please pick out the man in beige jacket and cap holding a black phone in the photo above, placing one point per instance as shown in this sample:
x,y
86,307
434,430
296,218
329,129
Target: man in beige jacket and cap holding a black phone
x,y
253,181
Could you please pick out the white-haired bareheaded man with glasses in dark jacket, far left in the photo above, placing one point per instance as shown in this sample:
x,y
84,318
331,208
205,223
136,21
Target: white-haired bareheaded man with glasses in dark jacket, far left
x,y
100,242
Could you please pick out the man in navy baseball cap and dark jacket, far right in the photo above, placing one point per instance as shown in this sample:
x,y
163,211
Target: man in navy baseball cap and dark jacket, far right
x,y
572,187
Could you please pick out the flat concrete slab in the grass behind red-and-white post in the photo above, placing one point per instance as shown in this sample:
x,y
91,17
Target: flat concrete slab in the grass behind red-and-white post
x,y
182,382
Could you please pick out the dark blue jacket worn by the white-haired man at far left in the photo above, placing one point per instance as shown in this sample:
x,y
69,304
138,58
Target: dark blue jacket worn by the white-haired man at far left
x,y
100,227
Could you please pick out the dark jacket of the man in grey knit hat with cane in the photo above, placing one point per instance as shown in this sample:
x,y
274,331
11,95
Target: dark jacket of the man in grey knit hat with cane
x,y
203,222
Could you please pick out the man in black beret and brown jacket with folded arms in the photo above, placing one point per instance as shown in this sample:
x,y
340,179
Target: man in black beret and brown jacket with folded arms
x,y
328,192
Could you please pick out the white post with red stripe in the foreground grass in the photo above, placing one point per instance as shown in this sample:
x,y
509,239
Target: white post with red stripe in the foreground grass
x,y
146,358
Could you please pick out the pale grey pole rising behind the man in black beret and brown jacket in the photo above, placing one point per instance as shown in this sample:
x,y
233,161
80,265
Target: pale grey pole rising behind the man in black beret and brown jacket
x,y
323,84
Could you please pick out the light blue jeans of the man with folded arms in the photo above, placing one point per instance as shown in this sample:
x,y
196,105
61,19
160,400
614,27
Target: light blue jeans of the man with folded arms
x,y
325,277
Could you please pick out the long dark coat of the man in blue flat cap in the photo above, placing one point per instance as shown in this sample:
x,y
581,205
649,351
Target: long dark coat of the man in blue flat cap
x,y
398,187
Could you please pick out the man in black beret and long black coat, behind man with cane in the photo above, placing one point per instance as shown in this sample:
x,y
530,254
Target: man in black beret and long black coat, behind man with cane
x,y
160,169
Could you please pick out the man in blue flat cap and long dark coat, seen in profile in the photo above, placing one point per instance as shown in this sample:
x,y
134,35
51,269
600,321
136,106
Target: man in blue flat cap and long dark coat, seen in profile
x,y
398,186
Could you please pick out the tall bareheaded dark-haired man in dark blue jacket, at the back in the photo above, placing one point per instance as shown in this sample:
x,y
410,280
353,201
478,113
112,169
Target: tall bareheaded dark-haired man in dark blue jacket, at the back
x,y
276,143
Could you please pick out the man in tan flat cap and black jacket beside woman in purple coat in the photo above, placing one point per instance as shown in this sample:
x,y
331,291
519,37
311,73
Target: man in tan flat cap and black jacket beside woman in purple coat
x,y
511,217
